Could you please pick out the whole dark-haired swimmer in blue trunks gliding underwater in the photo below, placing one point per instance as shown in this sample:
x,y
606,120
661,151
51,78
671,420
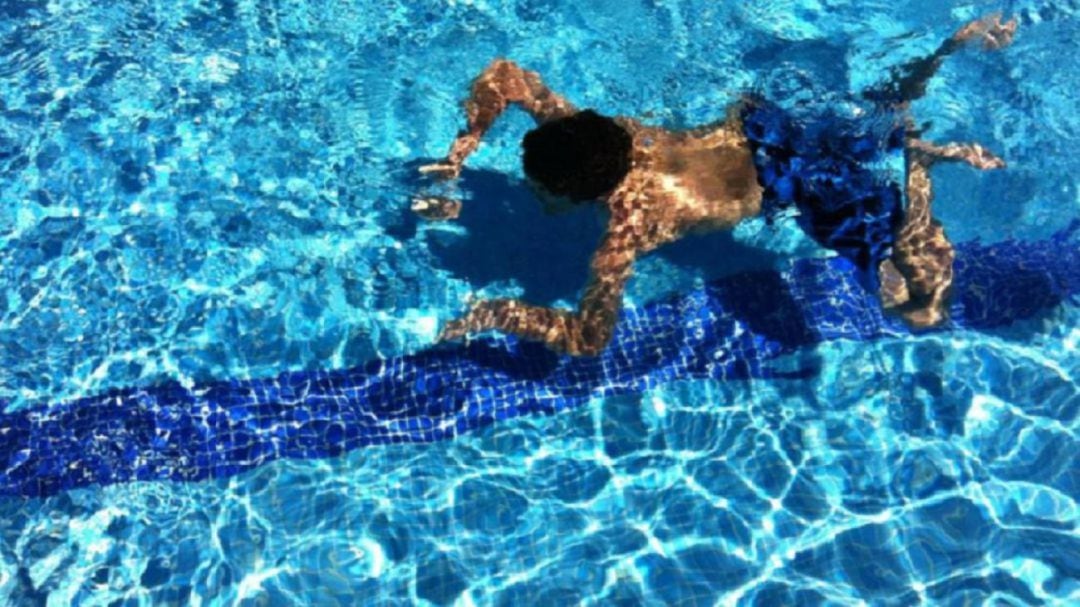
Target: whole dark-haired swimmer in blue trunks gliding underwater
x,y
658,185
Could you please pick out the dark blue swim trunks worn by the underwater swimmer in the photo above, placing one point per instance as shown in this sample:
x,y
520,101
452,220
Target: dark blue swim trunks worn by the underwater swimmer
x,y
842,176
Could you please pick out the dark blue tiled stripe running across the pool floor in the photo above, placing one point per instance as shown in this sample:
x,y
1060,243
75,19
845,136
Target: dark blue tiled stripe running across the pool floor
x,y
732,330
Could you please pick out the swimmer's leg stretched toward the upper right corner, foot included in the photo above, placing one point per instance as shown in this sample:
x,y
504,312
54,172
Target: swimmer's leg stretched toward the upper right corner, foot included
x,y
909,83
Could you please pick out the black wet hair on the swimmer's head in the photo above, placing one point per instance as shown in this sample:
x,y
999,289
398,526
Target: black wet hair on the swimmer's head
x,y
582,157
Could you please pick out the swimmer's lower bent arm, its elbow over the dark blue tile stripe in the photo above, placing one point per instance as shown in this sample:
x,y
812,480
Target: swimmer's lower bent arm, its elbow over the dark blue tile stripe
x,y
585,332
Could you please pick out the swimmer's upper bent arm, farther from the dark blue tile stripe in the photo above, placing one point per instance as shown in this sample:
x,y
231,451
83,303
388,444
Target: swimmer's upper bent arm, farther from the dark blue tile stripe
x,y
502,84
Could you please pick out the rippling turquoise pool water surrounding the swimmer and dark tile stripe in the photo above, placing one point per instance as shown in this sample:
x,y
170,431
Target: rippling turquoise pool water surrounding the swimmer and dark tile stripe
x,y
208,191
